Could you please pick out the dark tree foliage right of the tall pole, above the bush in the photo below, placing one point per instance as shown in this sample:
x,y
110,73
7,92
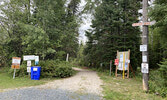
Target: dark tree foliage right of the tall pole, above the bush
x,y
158,35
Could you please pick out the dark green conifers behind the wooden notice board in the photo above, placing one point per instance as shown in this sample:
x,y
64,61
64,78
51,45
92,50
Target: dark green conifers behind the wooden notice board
x,y
111,31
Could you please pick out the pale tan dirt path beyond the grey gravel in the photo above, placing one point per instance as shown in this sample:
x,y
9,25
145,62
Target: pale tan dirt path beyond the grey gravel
x,y
85,81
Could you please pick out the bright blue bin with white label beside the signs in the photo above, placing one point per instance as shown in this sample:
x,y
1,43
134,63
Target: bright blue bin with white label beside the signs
x,y
35,72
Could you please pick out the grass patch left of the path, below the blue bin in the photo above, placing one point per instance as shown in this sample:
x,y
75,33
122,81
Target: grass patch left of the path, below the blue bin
x,y
7,81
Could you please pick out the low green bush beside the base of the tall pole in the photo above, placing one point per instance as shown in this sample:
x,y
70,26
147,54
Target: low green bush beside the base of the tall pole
x,y
158,80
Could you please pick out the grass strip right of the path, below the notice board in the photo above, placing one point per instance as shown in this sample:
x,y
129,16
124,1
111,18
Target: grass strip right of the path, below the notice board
x,y
124,89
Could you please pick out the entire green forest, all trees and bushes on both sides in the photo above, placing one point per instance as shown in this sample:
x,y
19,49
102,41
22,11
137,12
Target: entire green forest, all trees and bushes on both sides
x,y
50,29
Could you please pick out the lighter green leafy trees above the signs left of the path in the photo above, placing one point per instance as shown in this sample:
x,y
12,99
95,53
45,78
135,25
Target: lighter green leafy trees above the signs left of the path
x,y
32,27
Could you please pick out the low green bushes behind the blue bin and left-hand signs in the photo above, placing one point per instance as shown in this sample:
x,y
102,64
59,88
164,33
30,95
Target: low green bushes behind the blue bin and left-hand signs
x,y
49,68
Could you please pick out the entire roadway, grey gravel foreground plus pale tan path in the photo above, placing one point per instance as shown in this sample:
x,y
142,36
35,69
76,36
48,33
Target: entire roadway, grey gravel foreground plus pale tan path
x,y
85,85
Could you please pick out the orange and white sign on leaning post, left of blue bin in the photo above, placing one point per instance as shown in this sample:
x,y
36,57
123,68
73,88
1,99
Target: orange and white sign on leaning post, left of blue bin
x,y
15,64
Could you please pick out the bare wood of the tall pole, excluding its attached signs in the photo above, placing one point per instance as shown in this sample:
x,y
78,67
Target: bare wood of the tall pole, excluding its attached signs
x,y
145,42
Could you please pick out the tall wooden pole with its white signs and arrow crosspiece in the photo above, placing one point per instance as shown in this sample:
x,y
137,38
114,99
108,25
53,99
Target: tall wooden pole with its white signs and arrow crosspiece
x,y
143,47
